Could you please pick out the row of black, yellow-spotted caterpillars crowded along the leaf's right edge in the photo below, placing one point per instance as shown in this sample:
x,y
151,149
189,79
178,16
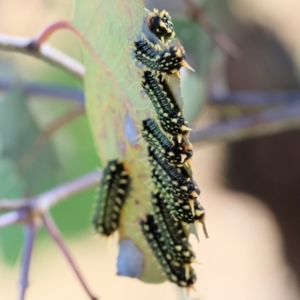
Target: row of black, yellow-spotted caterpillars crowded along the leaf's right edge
x,y
175,199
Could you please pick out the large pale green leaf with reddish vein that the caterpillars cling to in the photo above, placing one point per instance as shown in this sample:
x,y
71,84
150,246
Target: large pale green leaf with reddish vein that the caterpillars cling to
x,y
115,105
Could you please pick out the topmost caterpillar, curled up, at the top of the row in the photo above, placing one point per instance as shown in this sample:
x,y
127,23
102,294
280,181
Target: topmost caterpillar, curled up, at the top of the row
x,y
161,25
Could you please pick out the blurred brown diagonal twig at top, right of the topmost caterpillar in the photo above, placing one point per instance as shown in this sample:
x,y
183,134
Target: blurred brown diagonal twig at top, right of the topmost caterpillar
x,y
197,14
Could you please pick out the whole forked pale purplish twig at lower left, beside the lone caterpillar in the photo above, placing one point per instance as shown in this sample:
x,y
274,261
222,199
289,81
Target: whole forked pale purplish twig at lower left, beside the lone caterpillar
x,y
31,211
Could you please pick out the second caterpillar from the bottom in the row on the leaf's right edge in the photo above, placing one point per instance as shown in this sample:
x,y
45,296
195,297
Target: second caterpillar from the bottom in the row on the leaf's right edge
x,y
171,231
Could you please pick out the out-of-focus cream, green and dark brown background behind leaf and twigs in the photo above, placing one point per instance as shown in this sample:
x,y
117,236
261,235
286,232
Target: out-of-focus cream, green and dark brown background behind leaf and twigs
x,y
250,187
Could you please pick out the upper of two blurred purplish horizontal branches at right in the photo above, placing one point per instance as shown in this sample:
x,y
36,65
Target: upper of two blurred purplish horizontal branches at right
x,y
249,98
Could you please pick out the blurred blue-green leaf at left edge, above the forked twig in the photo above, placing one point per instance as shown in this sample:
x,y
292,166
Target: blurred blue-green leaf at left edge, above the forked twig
x,y
20,143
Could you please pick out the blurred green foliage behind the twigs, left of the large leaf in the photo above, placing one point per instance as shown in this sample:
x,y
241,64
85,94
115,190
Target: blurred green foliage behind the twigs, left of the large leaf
x,y
70,153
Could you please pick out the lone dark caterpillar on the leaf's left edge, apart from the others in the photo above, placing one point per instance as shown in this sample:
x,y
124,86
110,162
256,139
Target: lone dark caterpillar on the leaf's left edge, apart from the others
x,y
114,189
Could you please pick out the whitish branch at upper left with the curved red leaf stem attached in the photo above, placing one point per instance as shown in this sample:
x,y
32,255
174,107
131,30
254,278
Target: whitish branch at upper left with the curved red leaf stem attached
x,y
45,52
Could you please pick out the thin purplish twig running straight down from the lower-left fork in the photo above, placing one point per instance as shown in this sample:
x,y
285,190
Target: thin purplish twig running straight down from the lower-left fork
x,y
30,235
